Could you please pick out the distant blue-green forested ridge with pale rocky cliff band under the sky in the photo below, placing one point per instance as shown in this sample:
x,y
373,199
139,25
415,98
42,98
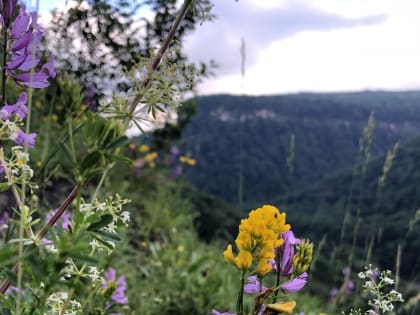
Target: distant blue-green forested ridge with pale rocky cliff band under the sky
x,y
241,140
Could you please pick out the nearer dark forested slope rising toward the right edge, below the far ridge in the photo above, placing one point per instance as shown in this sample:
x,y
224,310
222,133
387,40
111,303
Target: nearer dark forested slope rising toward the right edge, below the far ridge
x,y
386,215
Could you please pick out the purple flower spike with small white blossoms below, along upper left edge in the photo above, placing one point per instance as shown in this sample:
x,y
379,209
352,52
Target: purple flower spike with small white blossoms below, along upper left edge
x,y
22,36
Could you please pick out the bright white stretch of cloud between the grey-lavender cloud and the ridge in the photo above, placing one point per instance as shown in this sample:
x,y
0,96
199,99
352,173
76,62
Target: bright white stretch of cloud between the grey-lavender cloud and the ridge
x,y
378,56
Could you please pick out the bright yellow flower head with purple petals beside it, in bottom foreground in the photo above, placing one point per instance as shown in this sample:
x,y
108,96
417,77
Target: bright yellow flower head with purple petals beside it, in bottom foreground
x,y
266,245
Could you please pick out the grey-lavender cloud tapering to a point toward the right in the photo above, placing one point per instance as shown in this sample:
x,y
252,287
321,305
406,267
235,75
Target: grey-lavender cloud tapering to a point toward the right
x,y
260,26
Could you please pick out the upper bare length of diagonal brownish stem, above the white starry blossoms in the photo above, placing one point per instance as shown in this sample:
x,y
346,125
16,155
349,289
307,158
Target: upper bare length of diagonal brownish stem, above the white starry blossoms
x,y
156,61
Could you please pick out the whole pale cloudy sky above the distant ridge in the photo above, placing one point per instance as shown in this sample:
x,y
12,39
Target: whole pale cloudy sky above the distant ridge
x,y
308,45
